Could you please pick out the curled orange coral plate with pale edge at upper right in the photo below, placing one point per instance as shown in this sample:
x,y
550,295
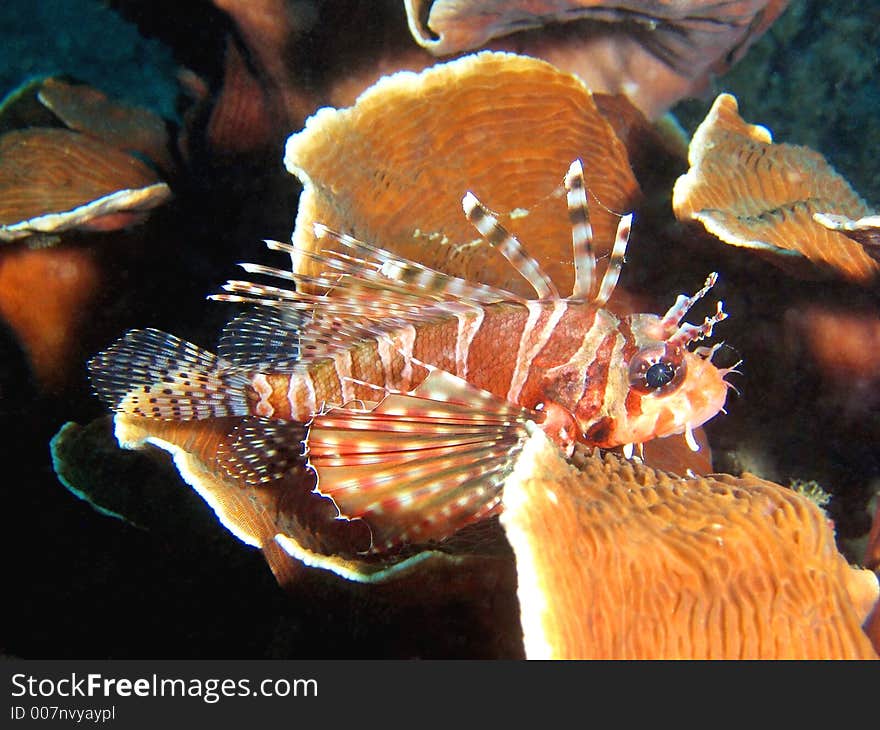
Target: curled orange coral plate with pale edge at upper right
x,y
750,192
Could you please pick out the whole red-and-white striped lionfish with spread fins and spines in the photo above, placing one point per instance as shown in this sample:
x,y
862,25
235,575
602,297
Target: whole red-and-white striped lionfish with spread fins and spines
x,y
408,392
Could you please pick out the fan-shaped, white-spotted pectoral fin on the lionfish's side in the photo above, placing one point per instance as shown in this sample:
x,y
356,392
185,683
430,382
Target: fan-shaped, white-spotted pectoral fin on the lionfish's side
x,y
421,465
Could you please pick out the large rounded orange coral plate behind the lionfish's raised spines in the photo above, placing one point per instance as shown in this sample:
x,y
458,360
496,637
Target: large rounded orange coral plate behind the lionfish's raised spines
x,y
503,126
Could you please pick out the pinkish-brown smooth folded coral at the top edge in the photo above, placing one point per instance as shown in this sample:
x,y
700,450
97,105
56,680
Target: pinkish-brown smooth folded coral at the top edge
x,y
656,52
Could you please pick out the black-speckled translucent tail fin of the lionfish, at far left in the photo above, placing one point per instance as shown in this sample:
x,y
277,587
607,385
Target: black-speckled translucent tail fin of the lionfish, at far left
x,y
153,374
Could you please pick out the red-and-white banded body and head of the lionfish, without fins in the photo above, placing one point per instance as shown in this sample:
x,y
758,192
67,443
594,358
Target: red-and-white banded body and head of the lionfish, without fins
x,y
567,358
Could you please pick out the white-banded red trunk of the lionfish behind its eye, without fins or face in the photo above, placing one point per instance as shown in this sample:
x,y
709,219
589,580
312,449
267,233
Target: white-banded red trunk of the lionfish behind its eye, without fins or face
x,y
505,348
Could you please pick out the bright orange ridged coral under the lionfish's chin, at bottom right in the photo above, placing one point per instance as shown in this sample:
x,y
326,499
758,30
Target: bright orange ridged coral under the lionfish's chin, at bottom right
x,y
615,560
